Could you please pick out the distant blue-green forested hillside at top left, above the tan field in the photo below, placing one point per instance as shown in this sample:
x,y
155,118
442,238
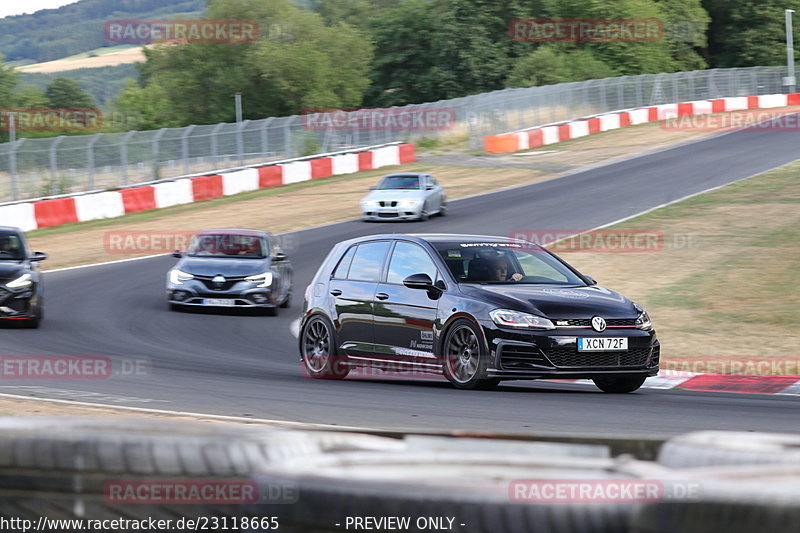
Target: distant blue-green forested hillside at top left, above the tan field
x,y
55,33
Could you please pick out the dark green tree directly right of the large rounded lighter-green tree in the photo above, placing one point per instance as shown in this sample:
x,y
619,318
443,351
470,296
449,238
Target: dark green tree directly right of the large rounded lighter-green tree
x,y
427,51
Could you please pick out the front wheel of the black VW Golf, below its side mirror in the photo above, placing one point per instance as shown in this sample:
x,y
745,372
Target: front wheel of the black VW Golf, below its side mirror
x,y
464,358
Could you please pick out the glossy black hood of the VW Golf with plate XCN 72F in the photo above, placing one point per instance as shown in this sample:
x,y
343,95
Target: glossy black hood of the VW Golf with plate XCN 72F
x,y
556,302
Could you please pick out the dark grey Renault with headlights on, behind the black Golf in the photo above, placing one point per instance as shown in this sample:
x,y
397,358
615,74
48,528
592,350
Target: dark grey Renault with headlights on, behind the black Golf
x,y
231,268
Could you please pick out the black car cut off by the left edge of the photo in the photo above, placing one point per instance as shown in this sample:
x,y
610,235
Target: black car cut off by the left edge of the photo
x,y
21,289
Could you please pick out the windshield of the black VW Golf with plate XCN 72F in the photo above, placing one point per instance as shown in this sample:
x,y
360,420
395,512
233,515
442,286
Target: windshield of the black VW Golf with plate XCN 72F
x,y
497,262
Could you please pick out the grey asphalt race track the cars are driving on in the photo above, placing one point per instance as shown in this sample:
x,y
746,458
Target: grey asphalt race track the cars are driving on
x,y
215,362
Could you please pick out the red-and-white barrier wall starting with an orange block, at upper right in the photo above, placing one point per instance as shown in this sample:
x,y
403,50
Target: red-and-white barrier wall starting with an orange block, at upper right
x,y
541,136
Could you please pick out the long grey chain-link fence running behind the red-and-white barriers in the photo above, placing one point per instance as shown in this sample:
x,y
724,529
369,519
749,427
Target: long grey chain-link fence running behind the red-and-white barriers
x,y
40,167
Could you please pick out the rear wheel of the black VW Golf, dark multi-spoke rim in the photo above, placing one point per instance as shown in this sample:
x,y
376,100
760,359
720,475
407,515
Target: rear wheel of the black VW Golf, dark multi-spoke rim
x,y
318,350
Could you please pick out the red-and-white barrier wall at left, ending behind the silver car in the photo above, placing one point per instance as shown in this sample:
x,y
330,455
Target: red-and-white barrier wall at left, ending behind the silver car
x,y
44,213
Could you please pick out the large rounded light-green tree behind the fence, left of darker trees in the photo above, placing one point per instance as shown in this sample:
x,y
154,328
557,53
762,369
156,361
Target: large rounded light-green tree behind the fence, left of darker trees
x,y
298,62
